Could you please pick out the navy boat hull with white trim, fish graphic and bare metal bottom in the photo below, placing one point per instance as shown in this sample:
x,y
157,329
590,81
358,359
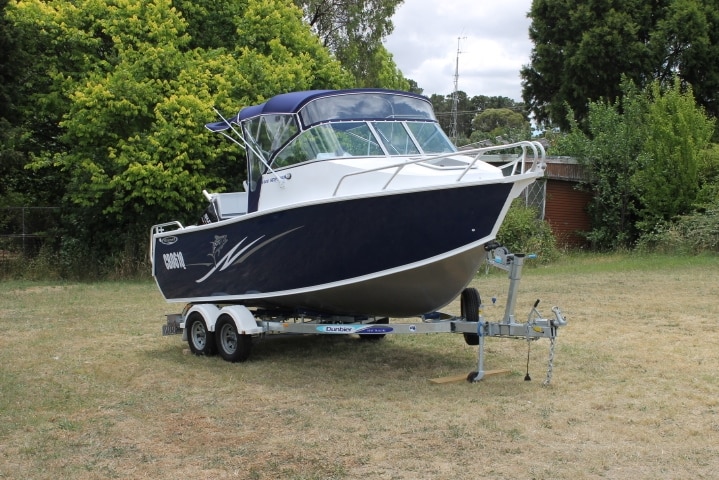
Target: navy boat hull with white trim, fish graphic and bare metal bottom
x,y
391,254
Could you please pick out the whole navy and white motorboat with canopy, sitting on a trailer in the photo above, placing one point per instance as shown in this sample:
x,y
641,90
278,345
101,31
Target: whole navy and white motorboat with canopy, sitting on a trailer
x,y
356,203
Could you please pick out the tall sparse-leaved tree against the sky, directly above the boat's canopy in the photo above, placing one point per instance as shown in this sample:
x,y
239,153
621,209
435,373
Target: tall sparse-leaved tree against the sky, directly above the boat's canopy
x,y
353,31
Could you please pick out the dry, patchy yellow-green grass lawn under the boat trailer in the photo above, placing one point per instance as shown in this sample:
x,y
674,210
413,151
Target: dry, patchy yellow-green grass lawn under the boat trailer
x,y
90,389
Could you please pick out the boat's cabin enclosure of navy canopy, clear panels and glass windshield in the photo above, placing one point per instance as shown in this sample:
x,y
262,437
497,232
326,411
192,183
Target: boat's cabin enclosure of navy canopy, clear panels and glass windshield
x,y
302,127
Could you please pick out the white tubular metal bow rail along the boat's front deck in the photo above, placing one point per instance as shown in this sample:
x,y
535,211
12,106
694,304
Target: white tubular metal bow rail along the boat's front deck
x,y
520,161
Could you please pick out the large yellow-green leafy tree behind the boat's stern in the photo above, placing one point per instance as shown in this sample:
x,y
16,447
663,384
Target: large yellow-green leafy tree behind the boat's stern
x,y
126,99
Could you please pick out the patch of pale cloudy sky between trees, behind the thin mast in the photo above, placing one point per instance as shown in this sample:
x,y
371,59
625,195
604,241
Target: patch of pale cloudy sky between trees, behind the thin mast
x,y
493,41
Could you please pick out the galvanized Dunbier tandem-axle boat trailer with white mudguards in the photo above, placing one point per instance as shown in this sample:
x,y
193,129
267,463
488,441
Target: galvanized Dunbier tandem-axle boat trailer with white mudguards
x,y
229,330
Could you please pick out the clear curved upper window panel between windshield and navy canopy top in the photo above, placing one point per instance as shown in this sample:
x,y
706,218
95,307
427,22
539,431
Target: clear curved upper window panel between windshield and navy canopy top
x,y
366,106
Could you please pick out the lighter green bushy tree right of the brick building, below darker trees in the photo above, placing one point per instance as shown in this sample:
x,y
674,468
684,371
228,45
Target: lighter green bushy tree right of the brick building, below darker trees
x,y
642,153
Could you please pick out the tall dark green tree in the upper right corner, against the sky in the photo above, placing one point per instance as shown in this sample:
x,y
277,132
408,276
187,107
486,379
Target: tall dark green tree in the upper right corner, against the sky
x,y
582,50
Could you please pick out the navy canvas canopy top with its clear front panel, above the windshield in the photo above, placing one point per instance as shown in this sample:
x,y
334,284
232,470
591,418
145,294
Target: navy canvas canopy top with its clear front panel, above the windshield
x,y
318,106
